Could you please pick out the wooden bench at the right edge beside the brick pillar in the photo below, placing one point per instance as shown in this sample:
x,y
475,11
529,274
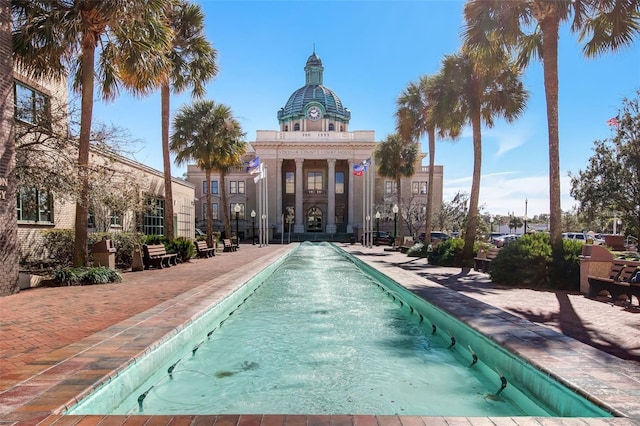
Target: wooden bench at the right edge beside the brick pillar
x,y
617,284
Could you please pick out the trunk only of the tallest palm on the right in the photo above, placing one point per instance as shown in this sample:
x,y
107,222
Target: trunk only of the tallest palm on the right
x,y
550,67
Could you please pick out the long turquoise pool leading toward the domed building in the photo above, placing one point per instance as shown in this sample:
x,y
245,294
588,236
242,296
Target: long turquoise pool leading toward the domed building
x,y
315,356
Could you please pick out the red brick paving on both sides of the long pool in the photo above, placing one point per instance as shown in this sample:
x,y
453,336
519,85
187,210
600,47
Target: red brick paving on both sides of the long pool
x,y
55,343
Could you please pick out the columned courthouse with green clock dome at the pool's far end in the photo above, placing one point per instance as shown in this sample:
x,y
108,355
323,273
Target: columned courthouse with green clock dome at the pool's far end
x,y
310,190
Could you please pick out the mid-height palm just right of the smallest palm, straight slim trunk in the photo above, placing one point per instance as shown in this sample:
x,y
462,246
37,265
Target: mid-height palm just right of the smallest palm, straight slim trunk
x,y
418,115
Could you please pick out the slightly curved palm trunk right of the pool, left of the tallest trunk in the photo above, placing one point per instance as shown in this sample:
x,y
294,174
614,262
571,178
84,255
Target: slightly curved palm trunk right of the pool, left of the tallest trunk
x,y
472,215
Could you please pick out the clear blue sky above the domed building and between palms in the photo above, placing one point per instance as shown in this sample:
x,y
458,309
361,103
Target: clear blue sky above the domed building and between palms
x,y
370,51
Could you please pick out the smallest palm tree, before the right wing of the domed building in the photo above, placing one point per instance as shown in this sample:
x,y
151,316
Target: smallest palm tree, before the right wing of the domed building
x,y
396,159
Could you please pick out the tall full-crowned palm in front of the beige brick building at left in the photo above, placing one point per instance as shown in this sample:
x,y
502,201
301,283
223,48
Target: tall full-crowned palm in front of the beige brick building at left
x,y
109,43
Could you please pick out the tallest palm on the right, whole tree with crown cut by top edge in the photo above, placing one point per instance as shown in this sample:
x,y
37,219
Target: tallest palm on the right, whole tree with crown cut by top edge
x,y
531,27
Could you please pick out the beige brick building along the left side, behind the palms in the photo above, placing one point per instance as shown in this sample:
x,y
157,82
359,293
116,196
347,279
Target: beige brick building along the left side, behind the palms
x,y
35,197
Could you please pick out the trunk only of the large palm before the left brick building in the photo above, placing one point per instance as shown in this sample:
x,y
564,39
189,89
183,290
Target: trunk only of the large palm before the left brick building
x,y
80,250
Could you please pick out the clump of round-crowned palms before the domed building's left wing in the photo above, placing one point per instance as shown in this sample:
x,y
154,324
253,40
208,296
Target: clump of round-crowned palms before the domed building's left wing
x,y
209,135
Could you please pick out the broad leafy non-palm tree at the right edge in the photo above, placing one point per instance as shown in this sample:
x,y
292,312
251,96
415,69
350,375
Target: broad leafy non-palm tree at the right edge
x,y
610,184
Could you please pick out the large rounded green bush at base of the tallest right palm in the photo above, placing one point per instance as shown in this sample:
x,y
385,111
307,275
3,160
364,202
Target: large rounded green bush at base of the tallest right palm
x,y
528,262
